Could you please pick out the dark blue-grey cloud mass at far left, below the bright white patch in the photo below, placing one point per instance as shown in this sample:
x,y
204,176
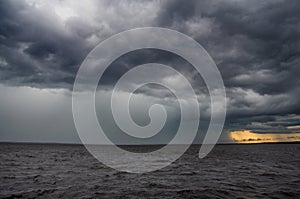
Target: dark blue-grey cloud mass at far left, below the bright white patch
x,y
38,52
